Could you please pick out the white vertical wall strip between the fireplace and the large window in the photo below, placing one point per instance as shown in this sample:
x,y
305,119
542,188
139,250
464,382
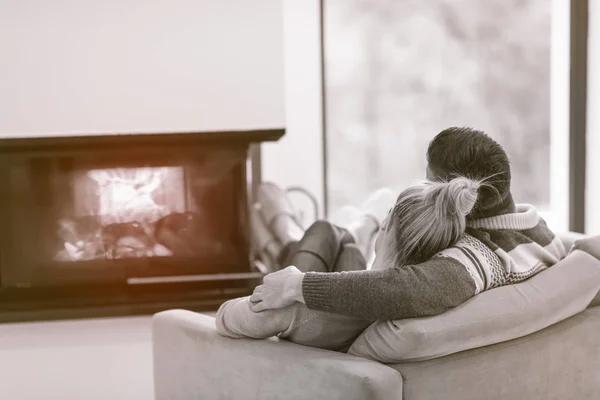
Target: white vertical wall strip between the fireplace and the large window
x,y
297,159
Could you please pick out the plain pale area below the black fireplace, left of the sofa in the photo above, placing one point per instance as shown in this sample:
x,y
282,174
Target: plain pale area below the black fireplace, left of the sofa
x,y
96,359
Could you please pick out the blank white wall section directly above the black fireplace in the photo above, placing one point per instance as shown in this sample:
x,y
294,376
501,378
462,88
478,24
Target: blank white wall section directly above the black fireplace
x,y
129,66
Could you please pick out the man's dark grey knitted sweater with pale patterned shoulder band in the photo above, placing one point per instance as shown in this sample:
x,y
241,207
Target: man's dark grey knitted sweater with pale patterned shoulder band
x,y
494,251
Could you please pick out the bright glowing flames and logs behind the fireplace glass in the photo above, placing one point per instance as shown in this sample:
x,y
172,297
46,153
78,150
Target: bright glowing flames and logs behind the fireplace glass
x,y
129,213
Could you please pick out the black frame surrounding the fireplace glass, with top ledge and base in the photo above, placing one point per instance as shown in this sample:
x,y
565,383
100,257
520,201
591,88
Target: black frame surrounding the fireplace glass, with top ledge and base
x,y
144,293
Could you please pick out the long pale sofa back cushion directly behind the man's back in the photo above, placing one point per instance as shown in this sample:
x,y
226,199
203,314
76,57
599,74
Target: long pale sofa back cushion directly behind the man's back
x,y
495,316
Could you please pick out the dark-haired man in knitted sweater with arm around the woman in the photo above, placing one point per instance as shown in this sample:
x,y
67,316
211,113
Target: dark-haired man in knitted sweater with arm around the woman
x,y
504,244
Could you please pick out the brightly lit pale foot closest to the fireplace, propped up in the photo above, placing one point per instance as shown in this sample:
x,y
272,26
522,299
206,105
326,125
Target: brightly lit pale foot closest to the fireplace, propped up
x,y
278,214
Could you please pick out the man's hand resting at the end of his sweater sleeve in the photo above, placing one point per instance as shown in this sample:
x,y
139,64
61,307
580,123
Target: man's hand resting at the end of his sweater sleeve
x,y
279,289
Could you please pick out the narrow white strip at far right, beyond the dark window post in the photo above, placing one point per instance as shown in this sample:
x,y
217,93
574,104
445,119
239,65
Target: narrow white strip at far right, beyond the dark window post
x,y
592,198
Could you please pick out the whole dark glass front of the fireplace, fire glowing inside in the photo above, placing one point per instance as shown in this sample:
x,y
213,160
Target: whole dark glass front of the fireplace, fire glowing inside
x,y
80,218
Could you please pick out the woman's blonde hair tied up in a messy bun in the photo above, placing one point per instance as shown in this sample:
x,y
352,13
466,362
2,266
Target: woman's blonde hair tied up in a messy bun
x,y
430,217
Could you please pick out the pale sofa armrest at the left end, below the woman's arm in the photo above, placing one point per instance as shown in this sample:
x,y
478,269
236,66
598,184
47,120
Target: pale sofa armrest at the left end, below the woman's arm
x,y
192,361
